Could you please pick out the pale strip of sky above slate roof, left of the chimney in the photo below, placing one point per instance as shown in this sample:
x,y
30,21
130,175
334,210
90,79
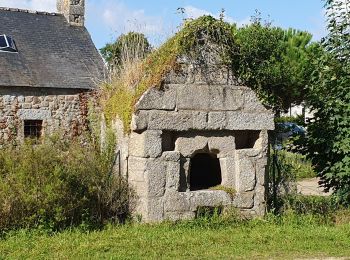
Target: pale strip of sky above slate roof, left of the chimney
x,y
39,5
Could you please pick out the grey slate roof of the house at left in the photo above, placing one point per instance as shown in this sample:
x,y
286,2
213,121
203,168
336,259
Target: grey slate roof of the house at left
x,y
51,53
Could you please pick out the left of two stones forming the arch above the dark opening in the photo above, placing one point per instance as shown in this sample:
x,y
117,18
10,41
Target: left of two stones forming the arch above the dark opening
x,y
188,145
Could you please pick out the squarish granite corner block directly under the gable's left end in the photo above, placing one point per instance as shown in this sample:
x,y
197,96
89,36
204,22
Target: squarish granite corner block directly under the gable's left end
x,y
148,144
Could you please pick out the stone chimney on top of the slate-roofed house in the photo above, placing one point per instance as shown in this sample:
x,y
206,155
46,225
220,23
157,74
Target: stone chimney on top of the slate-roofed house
x,y
73,10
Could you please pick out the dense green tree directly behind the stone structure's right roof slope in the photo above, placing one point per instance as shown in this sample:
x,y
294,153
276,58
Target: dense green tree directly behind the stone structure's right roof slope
x,y
274,62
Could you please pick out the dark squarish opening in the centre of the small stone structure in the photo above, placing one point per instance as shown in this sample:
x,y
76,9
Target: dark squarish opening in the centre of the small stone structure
x,y
205,171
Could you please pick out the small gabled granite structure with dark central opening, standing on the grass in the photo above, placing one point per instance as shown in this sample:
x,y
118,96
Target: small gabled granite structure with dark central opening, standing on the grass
x,y
199,141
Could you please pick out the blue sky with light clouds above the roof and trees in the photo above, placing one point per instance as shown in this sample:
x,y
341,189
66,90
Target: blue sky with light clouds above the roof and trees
x,y
158,19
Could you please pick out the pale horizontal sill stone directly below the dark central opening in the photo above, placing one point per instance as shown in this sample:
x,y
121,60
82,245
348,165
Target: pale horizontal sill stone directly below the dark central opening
x,y
209,198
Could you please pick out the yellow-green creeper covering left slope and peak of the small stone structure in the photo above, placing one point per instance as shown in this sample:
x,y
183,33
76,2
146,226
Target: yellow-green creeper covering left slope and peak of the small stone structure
x,y
122,97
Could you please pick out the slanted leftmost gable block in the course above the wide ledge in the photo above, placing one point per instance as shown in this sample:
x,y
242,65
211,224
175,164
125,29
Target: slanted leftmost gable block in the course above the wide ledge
x,y
158,99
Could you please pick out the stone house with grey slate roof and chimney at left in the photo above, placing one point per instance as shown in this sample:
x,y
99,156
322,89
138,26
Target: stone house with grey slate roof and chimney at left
x,y
49,68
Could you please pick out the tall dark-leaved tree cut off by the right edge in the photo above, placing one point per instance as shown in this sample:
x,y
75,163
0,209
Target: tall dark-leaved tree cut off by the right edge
x,y
328,139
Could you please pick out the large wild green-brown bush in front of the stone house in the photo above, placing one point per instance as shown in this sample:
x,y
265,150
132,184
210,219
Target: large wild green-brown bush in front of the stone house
x,y
60,183
